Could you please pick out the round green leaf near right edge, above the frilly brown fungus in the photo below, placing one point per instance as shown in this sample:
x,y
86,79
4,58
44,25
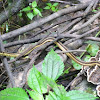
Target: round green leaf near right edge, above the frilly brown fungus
x,y
93,49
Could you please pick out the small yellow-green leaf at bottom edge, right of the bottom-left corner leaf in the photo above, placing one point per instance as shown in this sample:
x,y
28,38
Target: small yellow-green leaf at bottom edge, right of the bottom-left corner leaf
x,y
35,95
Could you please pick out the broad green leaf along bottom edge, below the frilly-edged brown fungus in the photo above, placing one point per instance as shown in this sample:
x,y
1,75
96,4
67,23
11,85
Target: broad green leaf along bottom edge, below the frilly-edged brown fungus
x,y
79,95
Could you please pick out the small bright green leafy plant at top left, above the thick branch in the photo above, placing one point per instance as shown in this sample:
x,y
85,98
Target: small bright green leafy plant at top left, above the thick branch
x,y
31,11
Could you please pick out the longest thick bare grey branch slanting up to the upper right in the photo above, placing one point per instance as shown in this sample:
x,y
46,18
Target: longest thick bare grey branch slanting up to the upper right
x,y
42,21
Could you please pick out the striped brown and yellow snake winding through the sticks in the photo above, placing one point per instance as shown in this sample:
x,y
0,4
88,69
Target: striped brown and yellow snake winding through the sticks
x,y
62,47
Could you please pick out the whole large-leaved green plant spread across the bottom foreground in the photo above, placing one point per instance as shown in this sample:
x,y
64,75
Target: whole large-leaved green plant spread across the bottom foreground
x,y
44,82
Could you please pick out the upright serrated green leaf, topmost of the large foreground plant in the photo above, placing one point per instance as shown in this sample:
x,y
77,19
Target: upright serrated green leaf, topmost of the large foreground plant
x,y
52,66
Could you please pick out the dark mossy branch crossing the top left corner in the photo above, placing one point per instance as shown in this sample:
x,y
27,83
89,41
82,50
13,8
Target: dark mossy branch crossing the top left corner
x,y
12,9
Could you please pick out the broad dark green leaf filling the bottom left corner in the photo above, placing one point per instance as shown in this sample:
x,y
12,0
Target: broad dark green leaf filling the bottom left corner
x,y
13,94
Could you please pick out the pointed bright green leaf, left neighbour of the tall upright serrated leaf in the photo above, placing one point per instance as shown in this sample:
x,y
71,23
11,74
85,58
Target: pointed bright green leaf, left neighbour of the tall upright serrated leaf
x,y
36,81
